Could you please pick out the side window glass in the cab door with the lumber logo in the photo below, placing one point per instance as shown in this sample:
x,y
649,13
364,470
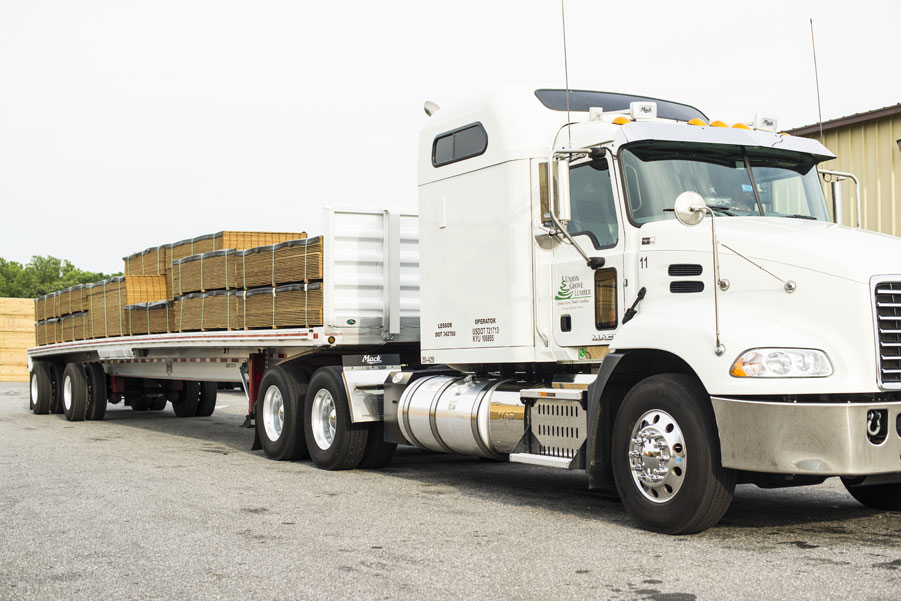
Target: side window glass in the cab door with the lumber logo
x,y
593,208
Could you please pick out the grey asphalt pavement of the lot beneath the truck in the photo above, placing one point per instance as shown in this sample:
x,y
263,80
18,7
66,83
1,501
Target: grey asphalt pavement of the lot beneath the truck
x,y
150,506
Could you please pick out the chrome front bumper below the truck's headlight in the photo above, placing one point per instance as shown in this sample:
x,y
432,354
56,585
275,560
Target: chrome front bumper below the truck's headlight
x,y
805,438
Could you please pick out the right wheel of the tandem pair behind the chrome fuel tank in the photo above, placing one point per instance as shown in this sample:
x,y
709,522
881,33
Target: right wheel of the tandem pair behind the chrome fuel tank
x,y
333,441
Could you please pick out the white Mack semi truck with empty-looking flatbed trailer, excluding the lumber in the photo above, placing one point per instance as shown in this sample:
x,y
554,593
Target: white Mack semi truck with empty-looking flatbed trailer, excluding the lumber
x,y
594,281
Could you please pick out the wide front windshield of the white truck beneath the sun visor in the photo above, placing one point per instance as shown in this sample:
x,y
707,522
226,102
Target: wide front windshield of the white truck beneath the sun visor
x,y
734,180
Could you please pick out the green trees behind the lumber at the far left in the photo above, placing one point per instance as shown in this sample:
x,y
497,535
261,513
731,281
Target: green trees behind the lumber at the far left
x,y
42,275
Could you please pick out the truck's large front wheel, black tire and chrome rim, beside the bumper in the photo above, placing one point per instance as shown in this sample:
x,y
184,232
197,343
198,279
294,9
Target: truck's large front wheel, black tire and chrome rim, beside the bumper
x,y
666,458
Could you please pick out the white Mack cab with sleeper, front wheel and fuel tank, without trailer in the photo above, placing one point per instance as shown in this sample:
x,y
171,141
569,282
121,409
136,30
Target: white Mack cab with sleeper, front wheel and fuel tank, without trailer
x,y
622,286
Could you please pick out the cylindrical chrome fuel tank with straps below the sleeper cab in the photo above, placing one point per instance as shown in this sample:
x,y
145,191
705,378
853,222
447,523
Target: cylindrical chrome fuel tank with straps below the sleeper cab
x,y
463,414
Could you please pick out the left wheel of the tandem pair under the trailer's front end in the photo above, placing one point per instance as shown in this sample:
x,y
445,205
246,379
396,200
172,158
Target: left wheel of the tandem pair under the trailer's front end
x,y
279,414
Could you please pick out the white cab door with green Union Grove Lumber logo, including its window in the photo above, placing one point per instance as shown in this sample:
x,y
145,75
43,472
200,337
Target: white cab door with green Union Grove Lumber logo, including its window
x,y
586,302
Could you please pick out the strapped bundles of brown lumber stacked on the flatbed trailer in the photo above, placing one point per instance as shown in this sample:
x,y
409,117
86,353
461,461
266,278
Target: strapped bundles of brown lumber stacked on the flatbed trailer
x,y
222,281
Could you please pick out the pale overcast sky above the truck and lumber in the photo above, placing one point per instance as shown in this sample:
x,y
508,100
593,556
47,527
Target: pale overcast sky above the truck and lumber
x,y
126,124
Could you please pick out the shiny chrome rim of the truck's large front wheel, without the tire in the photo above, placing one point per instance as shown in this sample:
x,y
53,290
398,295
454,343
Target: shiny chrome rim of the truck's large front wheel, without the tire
x,y
657,456
